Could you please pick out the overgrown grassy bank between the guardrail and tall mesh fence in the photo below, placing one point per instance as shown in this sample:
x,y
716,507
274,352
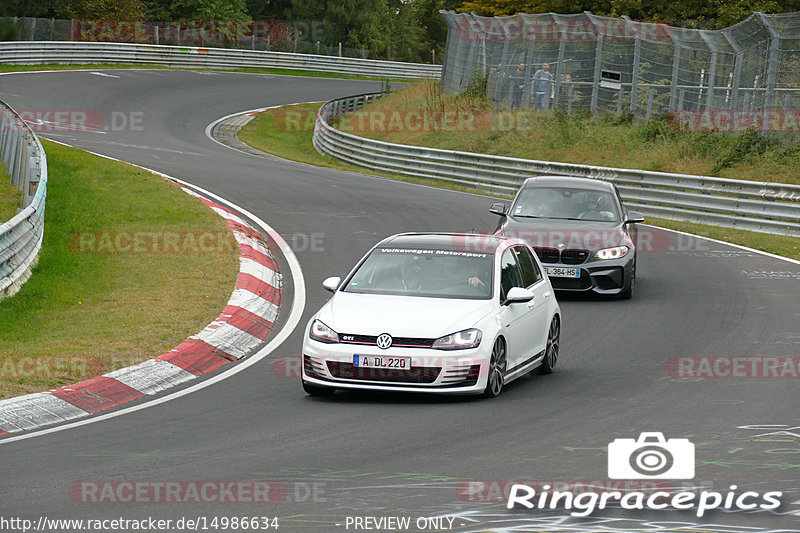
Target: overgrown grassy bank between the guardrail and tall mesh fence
x,y
605,140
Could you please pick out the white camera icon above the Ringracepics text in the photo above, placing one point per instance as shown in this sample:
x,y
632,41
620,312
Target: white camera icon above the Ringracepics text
x,y
651,457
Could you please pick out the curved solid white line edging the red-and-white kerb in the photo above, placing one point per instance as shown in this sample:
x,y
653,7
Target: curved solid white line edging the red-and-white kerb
x,y
298,304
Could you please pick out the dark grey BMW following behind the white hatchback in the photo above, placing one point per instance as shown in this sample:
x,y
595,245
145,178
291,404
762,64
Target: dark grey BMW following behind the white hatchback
x,y
580,229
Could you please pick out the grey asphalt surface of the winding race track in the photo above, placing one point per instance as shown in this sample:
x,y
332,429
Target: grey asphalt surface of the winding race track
x,y
364,454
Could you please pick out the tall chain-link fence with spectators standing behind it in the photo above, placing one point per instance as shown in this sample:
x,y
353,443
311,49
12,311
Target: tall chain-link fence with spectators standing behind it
x,y
748,73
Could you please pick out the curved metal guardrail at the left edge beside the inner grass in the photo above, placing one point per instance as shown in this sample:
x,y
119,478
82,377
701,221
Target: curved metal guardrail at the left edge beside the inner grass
x,y
21,237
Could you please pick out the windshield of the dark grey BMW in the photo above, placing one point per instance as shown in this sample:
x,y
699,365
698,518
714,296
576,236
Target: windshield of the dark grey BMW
x,y
566,203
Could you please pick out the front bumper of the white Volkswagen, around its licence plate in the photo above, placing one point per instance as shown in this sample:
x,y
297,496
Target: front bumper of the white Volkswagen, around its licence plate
x,y
431,371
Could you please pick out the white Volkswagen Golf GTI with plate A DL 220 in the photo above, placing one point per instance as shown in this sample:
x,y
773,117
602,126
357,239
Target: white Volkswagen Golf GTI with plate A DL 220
x,y
434,312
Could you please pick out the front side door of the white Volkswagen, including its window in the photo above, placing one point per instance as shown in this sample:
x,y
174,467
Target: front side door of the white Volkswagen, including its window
x,y
516,318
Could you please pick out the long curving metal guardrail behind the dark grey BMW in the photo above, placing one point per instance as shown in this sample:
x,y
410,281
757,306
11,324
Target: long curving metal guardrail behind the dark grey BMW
x,y
750,205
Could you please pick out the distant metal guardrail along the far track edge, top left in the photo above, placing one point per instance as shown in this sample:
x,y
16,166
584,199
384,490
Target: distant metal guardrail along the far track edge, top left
x,y
67,52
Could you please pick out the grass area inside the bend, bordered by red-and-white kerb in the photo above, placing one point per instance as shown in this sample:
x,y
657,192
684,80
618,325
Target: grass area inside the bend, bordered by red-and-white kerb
x,y
109,310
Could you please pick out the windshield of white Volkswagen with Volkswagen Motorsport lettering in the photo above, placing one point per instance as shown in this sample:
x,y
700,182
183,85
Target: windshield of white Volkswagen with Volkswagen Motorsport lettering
x,y
421,272
